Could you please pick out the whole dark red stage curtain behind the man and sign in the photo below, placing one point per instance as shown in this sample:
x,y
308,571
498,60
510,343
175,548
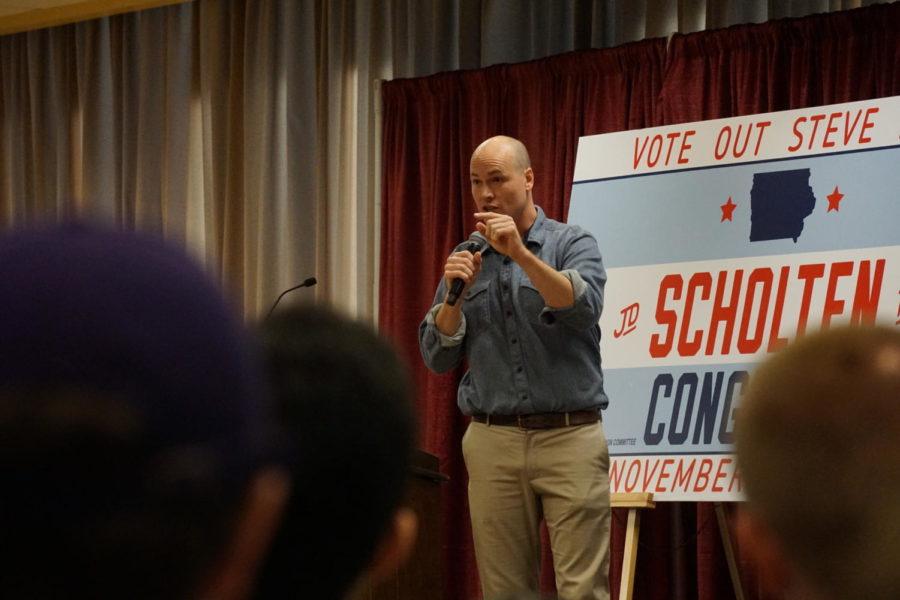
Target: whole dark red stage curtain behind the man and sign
x,y
431,126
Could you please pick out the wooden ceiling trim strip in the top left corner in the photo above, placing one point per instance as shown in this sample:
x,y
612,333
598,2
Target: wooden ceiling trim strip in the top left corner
x,y
23,15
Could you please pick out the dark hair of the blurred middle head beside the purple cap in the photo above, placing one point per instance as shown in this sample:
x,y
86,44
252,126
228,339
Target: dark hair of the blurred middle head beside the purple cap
x,y
345,399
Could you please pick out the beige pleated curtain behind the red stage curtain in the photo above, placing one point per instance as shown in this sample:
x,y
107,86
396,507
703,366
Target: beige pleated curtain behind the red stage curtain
x,y
248,130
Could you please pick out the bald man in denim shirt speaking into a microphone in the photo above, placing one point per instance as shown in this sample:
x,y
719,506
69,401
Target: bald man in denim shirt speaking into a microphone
x,y
527,321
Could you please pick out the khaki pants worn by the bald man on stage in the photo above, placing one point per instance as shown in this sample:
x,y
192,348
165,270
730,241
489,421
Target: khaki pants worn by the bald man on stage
x,y
516,478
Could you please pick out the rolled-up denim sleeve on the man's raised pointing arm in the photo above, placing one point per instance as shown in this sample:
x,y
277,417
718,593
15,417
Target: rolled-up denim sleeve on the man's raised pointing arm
x,y
583,266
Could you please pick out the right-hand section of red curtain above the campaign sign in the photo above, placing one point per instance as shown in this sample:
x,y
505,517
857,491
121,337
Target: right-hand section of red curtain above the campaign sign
x,y
783,65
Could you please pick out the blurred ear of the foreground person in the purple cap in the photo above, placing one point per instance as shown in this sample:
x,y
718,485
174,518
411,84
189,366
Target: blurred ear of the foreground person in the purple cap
x,y
233,576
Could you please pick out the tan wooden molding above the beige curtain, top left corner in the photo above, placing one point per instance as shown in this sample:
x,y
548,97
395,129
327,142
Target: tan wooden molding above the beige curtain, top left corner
x,y
71,12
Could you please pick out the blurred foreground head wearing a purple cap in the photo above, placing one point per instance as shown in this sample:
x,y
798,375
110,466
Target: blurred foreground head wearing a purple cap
x,y
131,424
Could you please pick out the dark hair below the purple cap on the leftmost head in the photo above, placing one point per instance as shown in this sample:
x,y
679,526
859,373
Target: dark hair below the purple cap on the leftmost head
x,y
92,507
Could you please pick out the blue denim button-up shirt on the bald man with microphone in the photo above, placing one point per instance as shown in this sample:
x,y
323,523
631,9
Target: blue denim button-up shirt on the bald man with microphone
x,y
523,356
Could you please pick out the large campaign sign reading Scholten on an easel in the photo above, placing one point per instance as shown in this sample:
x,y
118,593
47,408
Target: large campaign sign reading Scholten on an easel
x,y
723,240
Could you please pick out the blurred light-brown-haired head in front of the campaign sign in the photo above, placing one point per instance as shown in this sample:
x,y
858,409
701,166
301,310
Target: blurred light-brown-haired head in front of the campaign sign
x,y
818,445
